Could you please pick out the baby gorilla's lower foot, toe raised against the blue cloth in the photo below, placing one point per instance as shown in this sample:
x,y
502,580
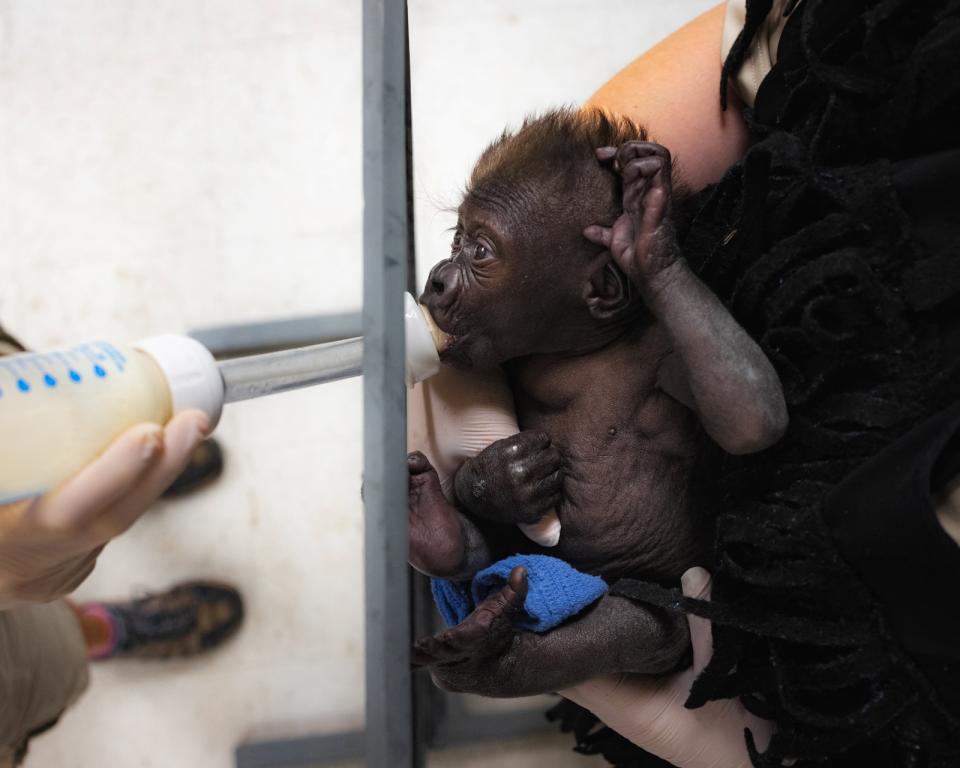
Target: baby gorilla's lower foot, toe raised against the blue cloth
x,y
471,656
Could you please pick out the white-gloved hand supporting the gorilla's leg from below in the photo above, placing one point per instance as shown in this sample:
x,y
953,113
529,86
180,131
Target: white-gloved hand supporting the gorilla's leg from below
x,y
649,711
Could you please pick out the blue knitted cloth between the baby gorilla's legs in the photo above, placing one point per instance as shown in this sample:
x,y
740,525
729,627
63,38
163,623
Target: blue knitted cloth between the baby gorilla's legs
x,y
555,591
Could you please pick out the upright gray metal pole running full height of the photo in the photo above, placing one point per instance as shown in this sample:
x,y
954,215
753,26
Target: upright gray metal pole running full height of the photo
x,y
389,709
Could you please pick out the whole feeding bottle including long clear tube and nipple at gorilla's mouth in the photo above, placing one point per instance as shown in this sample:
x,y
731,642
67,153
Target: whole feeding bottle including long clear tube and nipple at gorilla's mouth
x,y
59,410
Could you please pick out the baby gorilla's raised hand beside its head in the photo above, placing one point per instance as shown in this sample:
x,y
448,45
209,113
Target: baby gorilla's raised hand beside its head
x,y
642,240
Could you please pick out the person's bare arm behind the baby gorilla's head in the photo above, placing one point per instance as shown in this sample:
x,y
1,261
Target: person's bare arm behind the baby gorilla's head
x,y
674,91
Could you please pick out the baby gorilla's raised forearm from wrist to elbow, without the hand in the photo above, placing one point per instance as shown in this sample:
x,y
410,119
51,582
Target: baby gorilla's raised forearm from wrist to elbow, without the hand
x,y
735,389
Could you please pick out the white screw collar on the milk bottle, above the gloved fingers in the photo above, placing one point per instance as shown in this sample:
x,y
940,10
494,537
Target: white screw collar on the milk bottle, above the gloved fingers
x,y
192,373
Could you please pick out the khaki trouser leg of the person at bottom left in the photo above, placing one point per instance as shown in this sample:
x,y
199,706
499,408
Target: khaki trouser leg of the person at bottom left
x,y
43,669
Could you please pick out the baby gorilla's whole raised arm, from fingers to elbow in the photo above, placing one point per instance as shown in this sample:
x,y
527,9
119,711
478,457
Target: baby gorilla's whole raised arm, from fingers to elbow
x,y
716,368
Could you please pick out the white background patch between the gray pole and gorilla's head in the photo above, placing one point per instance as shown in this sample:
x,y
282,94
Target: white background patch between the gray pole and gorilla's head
x,y
480,66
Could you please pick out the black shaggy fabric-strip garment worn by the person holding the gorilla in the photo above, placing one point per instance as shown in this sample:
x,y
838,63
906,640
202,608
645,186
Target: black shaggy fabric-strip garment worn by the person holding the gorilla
x,y
836,244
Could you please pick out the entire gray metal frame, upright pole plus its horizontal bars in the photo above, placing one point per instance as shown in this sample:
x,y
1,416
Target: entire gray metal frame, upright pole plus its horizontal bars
x,y
405,713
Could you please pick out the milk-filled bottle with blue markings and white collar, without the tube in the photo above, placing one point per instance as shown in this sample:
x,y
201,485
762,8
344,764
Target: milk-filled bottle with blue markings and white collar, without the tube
x,y
58,410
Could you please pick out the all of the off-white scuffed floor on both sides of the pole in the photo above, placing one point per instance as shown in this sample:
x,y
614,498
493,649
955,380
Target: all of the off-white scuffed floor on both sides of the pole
x,y
167,165
